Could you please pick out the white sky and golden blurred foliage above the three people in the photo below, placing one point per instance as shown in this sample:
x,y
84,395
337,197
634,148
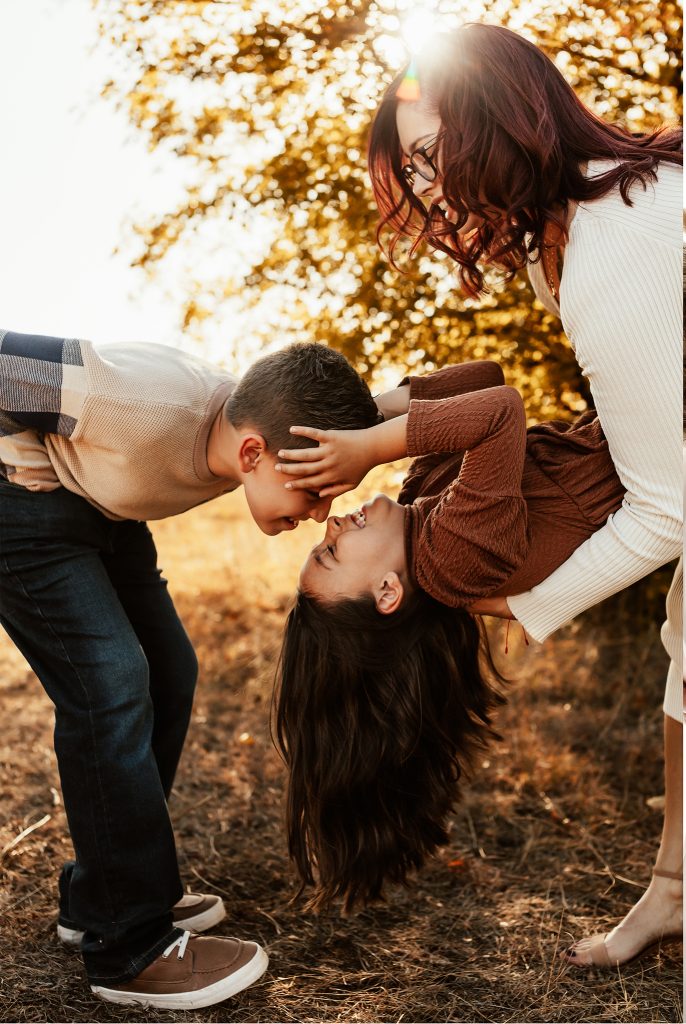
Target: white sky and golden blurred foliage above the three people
x,y
194,174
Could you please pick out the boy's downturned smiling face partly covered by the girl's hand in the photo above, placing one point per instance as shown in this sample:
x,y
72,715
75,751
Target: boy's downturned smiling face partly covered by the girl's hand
x,y
273,507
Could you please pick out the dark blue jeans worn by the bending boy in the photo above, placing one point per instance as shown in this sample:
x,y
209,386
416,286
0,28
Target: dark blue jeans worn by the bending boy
x,y
82,599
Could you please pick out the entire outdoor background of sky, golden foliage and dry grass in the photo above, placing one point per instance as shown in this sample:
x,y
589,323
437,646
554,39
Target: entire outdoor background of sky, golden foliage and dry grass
x,y
193,174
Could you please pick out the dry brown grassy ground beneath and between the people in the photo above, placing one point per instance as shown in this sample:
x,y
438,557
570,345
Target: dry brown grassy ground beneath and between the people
x,y
555,836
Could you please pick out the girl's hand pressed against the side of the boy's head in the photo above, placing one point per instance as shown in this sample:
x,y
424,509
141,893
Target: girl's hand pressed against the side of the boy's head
x,y
339,463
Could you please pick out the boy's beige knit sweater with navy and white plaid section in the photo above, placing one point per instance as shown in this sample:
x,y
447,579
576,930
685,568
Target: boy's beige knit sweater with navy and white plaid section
x,y
124,426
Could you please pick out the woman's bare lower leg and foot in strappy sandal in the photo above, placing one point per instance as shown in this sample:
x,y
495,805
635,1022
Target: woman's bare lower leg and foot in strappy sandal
x,y
659,913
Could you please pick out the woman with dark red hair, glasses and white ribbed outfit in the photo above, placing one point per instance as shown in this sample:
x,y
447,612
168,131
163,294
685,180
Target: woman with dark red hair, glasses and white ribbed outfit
x,y
497,161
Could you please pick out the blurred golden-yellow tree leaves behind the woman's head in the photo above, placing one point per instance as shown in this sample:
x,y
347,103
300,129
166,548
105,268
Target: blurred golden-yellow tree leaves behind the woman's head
x,y
269,105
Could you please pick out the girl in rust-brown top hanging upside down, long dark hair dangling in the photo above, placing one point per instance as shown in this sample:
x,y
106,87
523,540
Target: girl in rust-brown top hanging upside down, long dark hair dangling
x,y
387,680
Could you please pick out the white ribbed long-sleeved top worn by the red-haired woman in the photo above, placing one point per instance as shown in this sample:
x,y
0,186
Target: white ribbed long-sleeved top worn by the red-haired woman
x,y
621,306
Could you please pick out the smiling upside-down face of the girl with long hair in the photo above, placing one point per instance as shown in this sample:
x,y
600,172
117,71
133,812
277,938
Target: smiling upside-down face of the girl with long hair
x,y
358,553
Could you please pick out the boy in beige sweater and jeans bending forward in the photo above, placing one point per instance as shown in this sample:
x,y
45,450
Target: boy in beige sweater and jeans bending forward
x,y
95,442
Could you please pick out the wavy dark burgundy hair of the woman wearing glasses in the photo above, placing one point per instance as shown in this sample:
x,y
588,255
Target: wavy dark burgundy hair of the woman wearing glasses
x,y
513,143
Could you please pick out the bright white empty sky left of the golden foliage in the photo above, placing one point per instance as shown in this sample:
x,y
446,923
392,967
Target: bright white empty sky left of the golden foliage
x,y
72,174
